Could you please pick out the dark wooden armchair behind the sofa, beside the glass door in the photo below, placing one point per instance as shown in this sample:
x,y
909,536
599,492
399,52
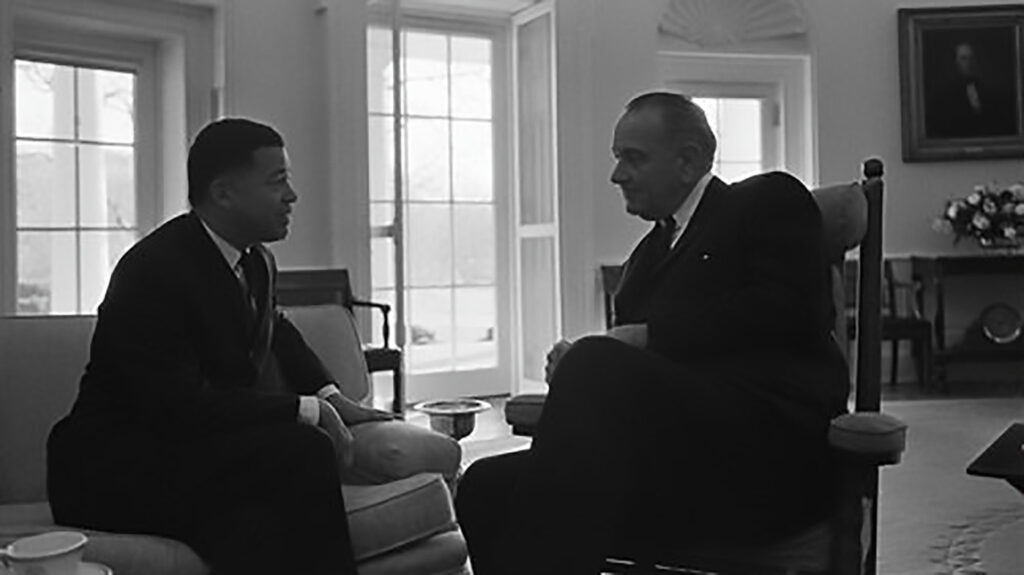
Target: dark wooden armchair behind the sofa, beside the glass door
x,y
317,287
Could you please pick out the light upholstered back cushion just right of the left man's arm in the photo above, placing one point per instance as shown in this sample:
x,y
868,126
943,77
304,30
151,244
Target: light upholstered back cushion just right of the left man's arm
x,y
331,332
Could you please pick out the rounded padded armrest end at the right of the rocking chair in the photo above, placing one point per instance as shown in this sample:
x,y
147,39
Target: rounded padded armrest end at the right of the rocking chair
x,y
871,438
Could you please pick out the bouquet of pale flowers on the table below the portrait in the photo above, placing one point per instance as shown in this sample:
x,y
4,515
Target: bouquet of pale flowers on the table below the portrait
x,y
992,215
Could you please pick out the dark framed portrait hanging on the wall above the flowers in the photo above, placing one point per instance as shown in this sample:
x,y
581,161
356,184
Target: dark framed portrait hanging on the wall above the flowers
x,y
961,86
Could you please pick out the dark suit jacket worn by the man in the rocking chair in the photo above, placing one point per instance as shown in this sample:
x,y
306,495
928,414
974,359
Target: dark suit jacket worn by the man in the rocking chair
x,y
746,295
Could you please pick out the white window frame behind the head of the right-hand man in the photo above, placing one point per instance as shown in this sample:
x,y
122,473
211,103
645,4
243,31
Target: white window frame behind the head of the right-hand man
x,y
787,75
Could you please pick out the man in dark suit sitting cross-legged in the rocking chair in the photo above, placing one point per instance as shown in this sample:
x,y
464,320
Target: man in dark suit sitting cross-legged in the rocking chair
x,y
702,416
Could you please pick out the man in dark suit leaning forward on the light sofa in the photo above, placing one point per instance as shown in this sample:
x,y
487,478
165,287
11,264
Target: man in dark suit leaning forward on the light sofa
x,y
203,416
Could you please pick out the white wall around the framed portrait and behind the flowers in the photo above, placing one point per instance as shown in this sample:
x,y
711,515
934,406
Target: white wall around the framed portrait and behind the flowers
x,y
857,72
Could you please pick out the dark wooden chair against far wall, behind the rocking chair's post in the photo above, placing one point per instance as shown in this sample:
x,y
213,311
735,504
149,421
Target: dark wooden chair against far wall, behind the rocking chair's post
x,y
899,323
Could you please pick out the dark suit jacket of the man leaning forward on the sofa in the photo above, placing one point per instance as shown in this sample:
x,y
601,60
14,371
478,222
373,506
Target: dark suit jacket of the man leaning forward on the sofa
x,y
177,350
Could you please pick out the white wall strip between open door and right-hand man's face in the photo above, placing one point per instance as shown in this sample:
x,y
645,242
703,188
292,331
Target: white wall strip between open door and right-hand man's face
x,y
607,55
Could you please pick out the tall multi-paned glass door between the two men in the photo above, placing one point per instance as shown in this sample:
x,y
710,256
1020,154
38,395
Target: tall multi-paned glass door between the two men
x,y
457,337
